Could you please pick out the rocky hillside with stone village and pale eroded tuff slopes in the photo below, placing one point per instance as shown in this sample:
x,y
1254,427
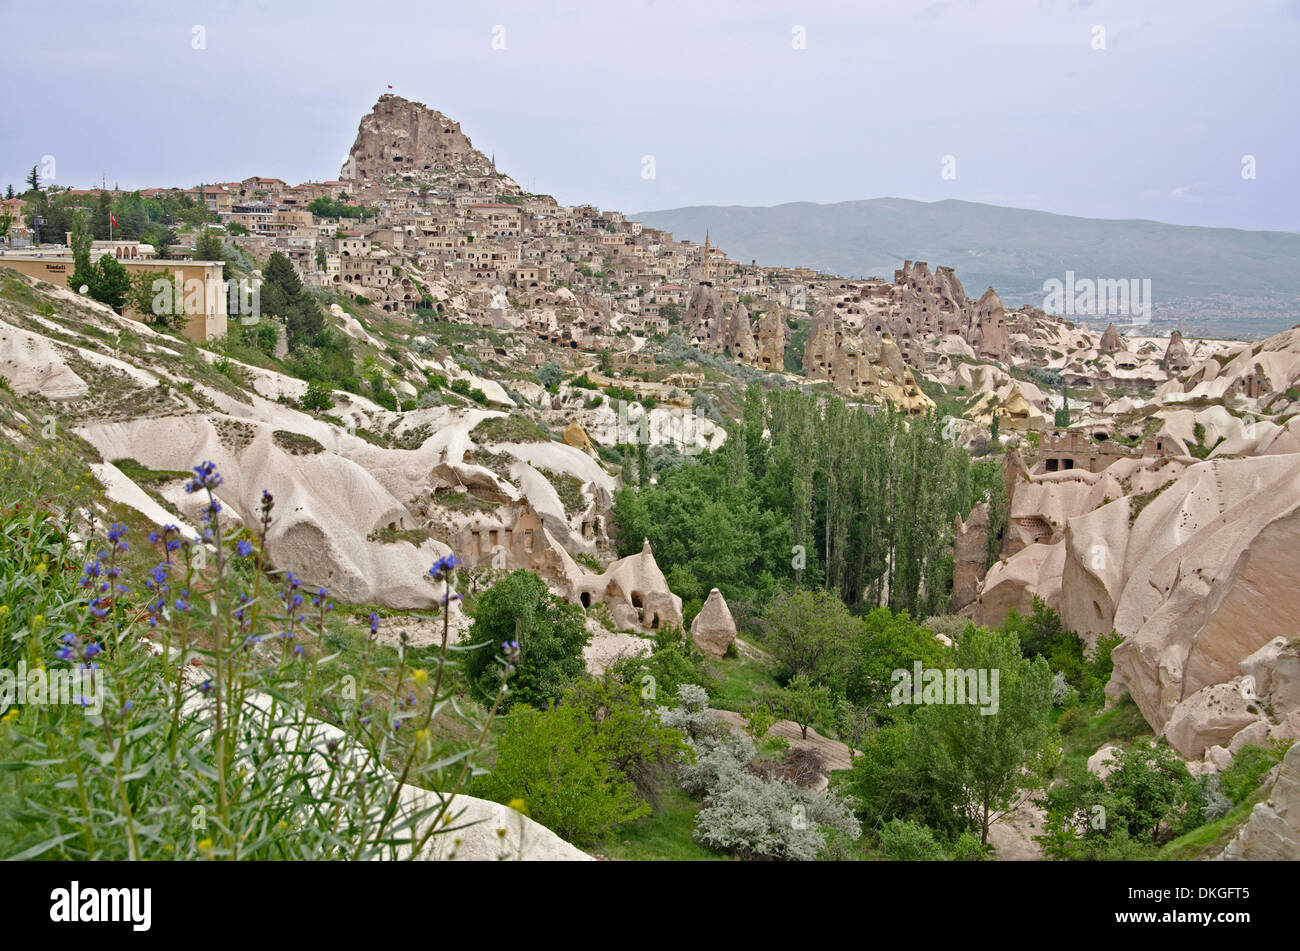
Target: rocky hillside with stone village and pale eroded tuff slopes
x,y
525,363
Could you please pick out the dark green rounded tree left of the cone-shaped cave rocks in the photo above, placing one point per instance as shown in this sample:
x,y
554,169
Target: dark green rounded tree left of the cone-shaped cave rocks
x,y
551,635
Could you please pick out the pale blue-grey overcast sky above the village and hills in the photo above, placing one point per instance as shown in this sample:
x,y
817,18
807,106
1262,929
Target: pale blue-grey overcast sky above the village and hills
x,y
1154,125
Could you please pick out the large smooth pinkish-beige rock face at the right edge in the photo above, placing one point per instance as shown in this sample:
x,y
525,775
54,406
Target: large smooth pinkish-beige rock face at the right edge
x,y
1190,581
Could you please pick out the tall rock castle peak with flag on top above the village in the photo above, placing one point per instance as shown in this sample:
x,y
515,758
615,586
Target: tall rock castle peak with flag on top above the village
x,y
405,138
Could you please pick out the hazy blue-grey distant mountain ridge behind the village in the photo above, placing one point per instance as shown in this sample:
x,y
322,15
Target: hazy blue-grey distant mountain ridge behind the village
x,y
1012,249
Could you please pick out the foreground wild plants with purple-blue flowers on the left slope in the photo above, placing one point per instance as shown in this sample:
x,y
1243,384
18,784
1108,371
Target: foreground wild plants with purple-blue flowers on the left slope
x,y
203,715
